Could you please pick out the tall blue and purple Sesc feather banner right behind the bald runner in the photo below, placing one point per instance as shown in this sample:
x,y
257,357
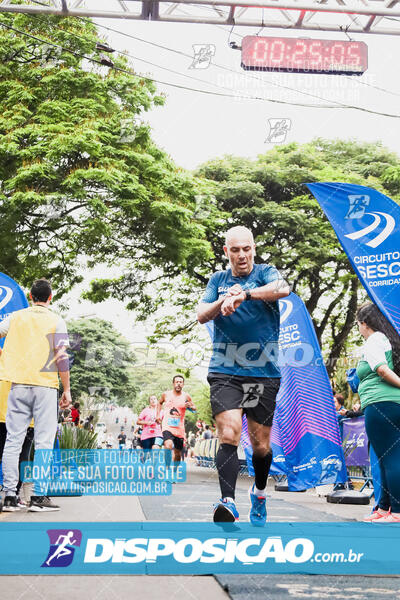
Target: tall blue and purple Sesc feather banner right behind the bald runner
x,y
305,437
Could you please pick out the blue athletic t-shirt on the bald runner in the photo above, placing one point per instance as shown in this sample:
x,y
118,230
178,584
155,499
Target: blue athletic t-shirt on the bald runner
x,y
246,342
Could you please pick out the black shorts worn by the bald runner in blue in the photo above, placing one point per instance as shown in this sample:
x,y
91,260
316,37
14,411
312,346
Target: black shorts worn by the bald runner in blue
x,y
255,395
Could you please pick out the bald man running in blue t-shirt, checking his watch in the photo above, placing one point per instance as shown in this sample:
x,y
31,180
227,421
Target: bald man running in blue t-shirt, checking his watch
x,y
244,376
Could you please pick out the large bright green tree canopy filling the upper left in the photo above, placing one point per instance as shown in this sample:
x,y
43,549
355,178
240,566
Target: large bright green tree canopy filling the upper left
x,y
80,176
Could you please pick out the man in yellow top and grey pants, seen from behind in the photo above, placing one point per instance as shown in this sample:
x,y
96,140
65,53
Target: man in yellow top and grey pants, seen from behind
x,y
34,356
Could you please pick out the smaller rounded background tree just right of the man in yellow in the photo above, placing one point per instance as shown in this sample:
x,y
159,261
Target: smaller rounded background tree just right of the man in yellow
x,y
102,367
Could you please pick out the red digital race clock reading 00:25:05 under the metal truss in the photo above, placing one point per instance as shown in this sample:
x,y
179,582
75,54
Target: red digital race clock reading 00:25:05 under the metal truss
x,y
304,56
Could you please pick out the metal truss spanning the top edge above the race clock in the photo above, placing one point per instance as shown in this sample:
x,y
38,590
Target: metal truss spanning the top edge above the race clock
x,y
352,16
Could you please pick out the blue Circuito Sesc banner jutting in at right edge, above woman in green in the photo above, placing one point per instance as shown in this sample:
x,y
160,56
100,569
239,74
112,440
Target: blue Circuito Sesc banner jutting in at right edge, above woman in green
x,y
367,224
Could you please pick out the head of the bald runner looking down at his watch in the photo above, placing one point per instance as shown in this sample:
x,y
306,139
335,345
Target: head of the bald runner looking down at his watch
x,y
240,250
